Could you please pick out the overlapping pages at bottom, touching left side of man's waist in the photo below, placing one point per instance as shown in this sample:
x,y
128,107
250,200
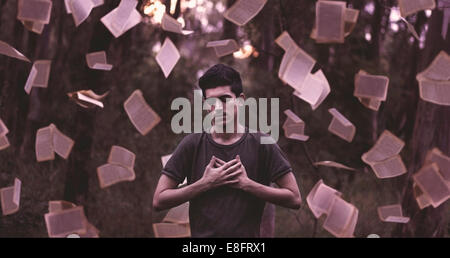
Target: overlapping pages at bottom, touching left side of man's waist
x,y
175,224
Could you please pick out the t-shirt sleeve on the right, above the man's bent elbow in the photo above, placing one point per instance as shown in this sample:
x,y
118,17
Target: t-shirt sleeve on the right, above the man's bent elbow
x,y
277,162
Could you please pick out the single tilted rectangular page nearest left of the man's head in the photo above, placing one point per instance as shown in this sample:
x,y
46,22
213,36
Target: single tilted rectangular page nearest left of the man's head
x,y
140,113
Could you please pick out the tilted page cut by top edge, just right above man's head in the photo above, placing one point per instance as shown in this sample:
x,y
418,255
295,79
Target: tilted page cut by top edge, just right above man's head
x,y
243,11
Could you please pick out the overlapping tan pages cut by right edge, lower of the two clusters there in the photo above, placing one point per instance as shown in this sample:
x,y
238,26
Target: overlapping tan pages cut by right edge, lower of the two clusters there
x,y
432,182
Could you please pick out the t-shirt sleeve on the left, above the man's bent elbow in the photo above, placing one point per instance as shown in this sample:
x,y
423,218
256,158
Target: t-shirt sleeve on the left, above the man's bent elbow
x,y
181,161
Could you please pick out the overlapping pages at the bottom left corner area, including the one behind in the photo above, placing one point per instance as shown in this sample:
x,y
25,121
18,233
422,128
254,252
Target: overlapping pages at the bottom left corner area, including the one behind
x,y
65,218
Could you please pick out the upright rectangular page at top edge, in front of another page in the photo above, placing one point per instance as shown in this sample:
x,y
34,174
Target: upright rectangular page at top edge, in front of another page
x,y
330,21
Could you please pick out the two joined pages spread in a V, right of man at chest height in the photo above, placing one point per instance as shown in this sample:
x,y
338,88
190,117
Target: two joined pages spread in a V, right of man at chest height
x,y
384,158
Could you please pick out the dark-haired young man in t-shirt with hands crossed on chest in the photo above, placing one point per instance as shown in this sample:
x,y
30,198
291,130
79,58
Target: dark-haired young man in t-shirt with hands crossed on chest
x,y
228,173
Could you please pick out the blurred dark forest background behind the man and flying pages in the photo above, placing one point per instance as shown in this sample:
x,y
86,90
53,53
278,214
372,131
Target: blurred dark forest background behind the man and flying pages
x,y
379,44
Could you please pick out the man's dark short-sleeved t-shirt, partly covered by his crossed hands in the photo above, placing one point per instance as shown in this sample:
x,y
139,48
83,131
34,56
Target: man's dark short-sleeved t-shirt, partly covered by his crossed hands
x,y
226,211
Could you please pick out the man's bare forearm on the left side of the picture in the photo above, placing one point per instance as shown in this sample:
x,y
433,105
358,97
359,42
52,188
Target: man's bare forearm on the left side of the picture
x,y
173,197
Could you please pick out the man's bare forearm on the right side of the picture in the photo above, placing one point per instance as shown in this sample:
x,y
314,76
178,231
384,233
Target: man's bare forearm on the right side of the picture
x,y
279,196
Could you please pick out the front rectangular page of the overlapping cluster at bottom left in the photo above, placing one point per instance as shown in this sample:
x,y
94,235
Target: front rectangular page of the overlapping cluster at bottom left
x,y
66,222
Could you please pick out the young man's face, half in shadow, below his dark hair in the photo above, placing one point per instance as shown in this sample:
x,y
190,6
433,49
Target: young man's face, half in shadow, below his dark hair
x,y
226,102
